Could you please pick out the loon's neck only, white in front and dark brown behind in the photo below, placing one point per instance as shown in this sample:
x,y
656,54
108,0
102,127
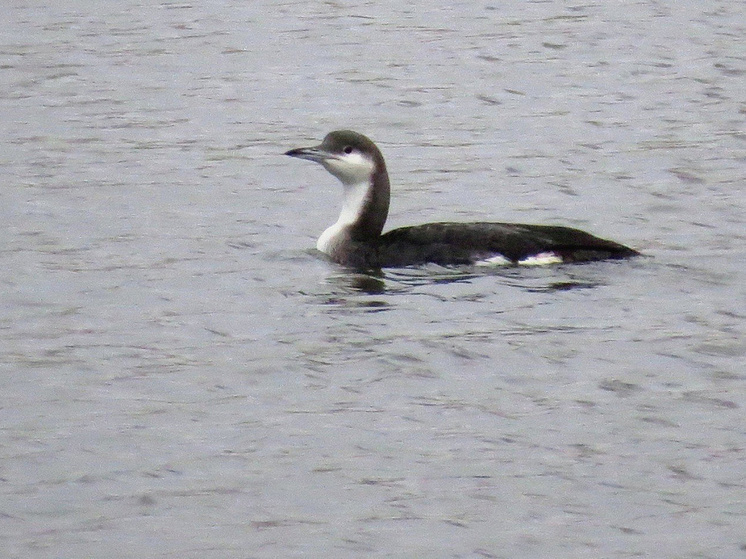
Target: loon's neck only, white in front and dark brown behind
x,y
365,208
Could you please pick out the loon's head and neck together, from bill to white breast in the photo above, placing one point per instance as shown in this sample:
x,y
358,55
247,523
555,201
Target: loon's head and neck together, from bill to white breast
x,y
357,162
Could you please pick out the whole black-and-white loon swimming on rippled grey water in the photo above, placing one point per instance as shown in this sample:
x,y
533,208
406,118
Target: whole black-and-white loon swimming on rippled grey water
x,y
355,239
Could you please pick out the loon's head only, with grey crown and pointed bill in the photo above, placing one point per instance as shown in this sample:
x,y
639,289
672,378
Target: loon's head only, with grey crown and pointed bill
x,y
351,157
